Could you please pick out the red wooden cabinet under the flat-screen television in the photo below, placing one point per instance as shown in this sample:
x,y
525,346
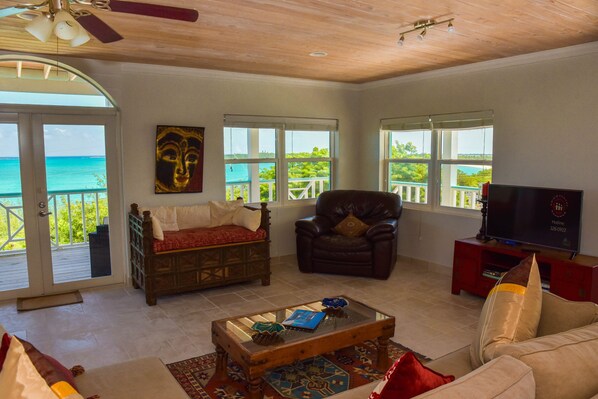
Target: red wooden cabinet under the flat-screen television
x,y
477,265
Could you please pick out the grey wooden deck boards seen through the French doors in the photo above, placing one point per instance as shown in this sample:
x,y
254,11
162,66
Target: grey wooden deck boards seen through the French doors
x,y
69,264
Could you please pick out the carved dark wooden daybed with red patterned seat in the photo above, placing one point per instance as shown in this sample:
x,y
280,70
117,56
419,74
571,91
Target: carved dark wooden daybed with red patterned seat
x,y
195,258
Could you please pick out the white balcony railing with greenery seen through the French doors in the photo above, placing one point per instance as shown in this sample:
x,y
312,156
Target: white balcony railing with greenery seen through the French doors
x,y
67,207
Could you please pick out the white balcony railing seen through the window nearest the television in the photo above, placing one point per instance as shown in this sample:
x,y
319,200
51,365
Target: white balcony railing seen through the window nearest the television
x,y
459,196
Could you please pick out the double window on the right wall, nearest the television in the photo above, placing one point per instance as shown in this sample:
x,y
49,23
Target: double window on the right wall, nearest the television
x,y
439,160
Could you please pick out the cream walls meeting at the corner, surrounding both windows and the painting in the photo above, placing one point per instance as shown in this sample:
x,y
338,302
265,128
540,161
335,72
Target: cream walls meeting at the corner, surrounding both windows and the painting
x,y
545,130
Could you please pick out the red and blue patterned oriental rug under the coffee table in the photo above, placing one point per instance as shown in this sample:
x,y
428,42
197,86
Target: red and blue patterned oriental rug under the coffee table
x,y
313,378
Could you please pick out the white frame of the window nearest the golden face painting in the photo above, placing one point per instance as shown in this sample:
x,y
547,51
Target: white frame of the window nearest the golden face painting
x,y
281,125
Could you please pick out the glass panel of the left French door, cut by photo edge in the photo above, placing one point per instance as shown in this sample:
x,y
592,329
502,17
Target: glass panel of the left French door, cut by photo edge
x,y
14,273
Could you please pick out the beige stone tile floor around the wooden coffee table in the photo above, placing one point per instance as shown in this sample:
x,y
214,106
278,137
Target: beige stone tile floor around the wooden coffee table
x,y
114,324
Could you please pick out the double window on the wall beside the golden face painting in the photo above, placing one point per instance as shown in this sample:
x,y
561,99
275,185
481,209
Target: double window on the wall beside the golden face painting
x,y
270,159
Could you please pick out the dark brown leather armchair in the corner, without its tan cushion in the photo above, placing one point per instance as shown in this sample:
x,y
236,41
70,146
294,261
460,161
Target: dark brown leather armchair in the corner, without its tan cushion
x,y
320,249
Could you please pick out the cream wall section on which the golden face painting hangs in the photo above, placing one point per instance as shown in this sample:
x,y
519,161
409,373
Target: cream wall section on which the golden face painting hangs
x,y
153,95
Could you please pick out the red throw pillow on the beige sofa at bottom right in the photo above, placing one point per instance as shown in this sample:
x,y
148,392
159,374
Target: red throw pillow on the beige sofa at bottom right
x,y
407,378
